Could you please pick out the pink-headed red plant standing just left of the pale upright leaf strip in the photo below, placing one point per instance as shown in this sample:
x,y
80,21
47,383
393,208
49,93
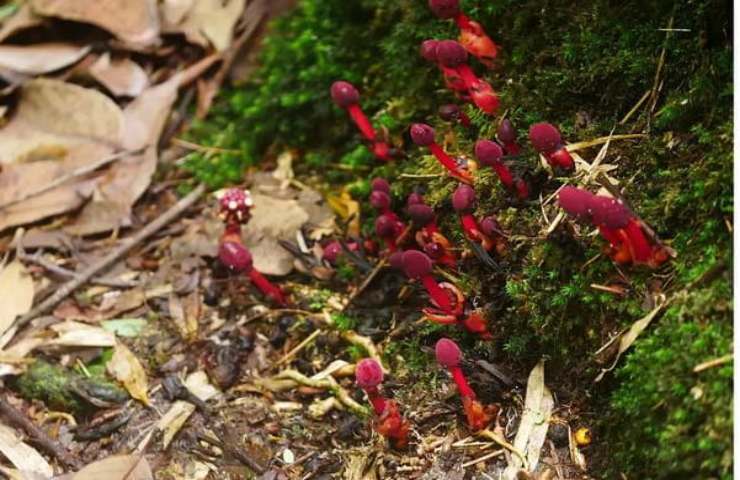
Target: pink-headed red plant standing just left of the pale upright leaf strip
x,y
449,356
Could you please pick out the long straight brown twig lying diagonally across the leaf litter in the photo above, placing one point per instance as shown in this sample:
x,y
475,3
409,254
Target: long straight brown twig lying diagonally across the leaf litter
x,y
129,243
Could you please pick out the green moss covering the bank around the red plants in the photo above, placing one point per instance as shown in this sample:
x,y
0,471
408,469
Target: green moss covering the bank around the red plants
x,y
582,66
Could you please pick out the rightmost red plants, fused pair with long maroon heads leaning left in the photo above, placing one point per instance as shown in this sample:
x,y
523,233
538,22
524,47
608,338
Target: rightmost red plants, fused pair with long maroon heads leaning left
x,y
617,224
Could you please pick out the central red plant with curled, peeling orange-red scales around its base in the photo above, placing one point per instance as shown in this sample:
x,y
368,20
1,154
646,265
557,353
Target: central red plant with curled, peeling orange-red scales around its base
x,y
448,301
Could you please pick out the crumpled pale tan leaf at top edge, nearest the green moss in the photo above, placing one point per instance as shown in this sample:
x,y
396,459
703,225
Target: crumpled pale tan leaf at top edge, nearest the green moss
x,y
206,21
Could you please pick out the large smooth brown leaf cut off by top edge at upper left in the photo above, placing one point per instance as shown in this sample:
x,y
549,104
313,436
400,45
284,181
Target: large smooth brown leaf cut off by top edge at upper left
x,y
134,21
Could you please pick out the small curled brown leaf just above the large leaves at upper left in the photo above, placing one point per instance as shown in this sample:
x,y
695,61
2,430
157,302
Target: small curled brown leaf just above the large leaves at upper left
x,y
122,77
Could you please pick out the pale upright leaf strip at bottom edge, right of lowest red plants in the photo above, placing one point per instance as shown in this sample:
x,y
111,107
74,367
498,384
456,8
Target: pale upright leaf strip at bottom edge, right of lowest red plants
x,y
534,423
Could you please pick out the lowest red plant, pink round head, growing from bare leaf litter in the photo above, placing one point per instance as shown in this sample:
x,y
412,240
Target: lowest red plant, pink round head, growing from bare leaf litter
x,y
388,420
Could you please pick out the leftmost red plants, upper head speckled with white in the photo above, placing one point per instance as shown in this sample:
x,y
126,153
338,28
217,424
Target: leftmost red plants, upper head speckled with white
x,y
235,205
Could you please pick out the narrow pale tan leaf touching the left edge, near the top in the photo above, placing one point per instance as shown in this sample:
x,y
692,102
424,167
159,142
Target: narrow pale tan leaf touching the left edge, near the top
x,y
41,57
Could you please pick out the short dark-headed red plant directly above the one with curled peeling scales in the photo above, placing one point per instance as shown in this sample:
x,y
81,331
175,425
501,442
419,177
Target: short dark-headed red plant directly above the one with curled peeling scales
x,y
428,236
